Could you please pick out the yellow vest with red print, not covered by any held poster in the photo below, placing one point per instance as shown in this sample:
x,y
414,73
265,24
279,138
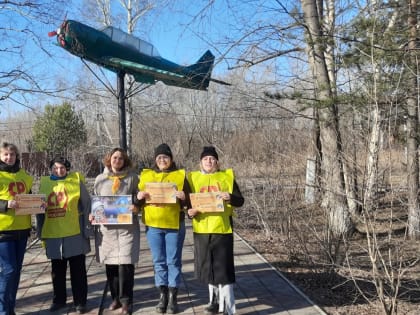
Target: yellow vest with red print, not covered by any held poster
x,y
62,214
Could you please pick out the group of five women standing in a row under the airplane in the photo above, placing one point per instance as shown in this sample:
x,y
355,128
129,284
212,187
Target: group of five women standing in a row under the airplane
x,y
65,229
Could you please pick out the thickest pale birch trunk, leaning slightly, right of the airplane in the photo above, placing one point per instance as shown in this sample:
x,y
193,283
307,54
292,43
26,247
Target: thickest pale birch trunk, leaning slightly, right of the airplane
x,y
332,182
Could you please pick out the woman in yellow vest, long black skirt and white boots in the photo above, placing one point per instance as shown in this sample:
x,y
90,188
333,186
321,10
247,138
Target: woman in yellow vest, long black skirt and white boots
x,y
213,232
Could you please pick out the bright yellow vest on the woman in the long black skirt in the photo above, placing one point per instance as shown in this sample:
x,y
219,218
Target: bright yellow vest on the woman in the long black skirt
x,y
219,222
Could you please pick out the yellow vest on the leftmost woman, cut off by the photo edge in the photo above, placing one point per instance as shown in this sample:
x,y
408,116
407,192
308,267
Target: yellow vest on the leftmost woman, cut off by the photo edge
x,y
12,184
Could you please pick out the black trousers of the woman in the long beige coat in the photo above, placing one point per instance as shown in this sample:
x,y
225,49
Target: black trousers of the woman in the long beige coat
x,y
121,282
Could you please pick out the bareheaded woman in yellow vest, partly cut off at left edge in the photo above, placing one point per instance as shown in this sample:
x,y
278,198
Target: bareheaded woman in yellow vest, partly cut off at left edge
x,y
14,229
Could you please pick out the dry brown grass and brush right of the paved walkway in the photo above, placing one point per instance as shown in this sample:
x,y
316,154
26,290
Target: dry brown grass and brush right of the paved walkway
x,y
338,277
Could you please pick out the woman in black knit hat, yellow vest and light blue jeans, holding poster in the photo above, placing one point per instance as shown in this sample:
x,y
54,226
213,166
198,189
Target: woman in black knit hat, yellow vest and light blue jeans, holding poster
x,y
163,194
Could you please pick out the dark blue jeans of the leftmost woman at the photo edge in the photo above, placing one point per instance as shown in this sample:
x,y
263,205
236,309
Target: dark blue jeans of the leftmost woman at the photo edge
x,y
11,260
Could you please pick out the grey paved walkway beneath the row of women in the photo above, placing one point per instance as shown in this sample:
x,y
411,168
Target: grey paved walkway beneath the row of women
x,y
259,290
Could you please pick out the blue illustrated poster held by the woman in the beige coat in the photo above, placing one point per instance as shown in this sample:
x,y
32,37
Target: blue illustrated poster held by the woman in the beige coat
x,y
111,209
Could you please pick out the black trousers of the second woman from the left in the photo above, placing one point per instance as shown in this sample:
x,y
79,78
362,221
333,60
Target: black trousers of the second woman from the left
x,y
78,279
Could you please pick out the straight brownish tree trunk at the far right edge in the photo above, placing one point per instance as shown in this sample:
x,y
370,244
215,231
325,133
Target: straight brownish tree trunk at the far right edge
x,y
412,128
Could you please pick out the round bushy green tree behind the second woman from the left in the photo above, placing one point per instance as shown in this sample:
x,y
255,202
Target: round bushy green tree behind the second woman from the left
x,y
59,130
